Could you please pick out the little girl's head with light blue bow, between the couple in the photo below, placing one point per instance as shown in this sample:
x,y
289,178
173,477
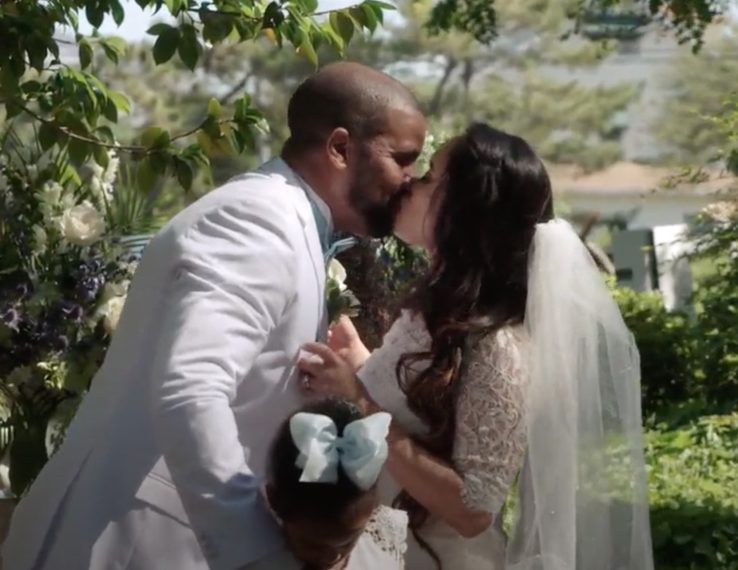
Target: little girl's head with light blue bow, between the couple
x,y
324,466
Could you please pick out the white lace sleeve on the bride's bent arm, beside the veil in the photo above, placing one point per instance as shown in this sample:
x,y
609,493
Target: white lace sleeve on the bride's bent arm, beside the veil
x,y
490,431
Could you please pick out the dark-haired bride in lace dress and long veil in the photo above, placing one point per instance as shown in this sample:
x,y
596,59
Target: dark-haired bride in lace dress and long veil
x,y
510,376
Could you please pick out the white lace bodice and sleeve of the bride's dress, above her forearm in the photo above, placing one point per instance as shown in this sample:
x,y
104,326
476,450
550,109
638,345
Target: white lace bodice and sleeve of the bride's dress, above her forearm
x,y
490,433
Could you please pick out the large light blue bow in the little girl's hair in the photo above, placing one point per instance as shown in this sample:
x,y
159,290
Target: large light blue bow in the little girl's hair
x,y
361,451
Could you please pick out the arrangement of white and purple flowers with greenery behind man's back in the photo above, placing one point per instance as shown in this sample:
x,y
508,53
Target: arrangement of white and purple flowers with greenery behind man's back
x,y
63,283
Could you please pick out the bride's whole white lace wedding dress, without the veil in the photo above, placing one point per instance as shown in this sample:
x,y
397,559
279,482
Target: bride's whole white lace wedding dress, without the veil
x,y
489,443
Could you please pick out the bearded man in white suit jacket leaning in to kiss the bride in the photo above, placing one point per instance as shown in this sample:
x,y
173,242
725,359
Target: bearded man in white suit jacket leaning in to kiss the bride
x,y
163,464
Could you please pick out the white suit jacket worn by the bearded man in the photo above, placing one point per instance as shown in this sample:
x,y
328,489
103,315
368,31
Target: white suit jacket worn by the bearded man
x,y
200,374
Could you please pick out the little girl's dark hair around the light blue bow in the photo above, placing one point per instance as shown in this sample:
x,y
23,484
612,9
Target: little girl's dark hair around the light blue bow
x,y
322,501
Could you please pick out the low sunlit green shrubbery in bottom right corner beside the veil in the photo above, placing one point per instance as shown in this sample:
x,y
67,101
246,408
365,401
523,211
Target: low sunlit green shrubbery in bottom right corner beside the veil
x,y
693,473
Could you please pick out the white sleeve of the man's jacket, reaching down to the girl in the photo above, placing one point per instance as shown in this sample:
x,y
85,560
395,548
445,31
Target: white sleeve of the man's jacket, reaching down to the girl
x,y
233,279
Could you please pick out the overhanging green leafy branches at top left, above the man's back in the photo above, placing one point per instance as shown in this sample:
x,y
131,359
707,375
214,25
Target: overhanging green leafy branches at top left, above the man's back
x,y
76,111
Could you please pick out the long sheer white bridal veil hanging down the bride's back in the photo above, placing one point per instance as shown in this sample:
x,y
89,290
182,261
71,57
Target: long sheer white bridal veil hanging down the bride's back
x,y
582,491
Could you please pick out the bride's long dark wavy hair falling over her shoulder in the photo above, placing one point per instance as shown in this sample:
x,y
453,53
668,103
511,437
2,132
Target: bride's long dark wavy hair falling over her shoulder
x,y
494,191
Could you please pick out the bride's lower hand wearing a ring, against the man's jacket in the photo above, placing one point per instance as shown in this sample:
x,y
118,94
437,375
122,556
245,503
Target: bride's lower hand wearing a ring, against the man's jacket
x,y
328,373
